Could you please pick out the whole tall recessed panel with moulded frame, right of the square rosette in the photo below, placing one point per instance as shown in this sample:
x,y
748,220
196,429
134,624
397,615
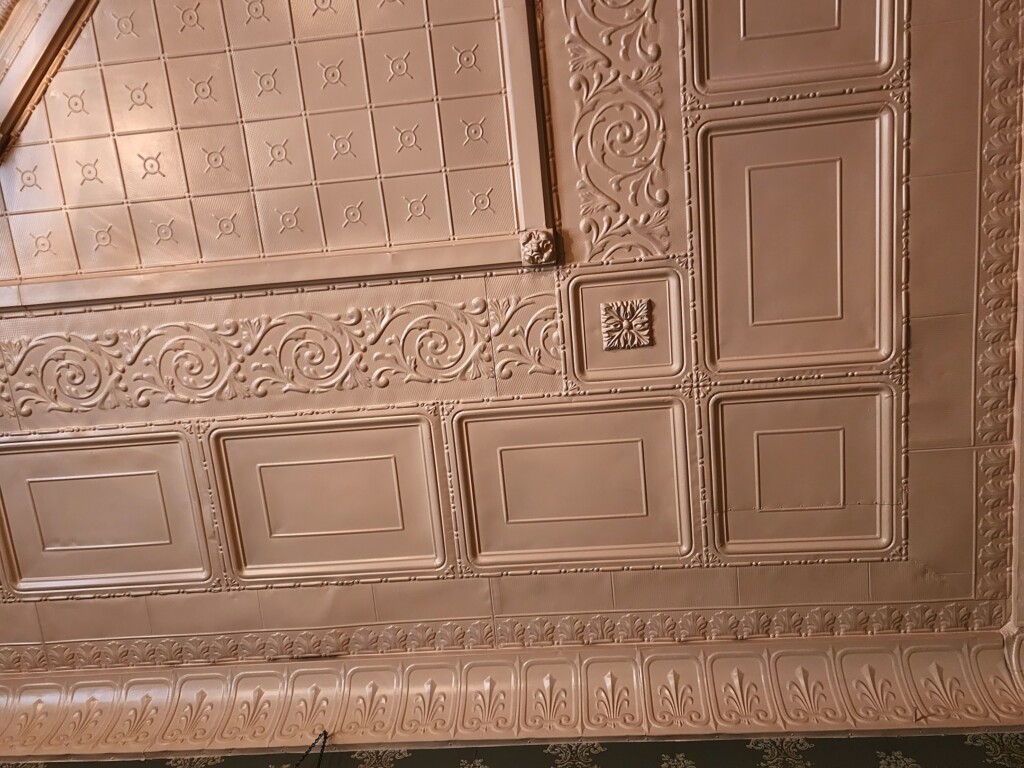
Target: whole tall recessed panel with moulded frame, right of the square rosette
x,y
806,278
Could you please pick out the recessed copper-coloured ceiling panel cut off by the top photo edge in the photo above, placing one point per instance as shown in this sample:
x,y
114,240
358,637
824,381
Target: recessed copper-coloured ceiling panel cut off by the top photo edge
x,y
754,45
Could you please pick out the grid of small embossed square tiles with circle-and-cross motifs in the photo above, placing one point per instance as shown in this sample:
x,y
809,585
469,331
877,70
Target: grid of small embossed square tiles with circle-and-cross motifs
x,y
181,132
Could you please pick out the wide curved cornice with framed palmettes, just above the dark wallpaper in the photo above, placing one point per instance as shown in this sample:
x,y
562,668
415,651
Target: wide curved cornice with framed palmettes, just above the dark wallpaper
x,y
954,682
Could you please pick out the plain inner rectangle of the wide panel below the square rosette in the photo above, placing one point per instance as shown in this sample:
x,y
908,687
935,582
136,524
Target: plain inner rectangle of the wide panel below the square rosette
x,y
618,491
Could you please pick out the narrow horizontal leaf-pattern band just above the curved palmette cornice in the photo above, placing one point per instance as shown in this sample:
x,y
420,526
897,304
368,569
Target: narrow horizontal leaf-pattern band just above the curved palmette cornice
x,y
611,631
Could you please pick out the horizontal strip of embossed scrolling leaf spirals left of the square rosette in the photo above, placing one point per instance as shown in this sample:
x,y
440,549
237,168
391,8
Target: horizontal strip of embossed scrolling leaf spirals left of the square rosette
x,y
305,353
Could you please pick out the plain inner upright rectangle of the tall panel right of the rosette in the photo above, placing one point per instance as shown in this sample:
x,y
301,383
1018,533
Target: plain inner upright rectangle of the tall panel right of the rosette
x,y
795,241
